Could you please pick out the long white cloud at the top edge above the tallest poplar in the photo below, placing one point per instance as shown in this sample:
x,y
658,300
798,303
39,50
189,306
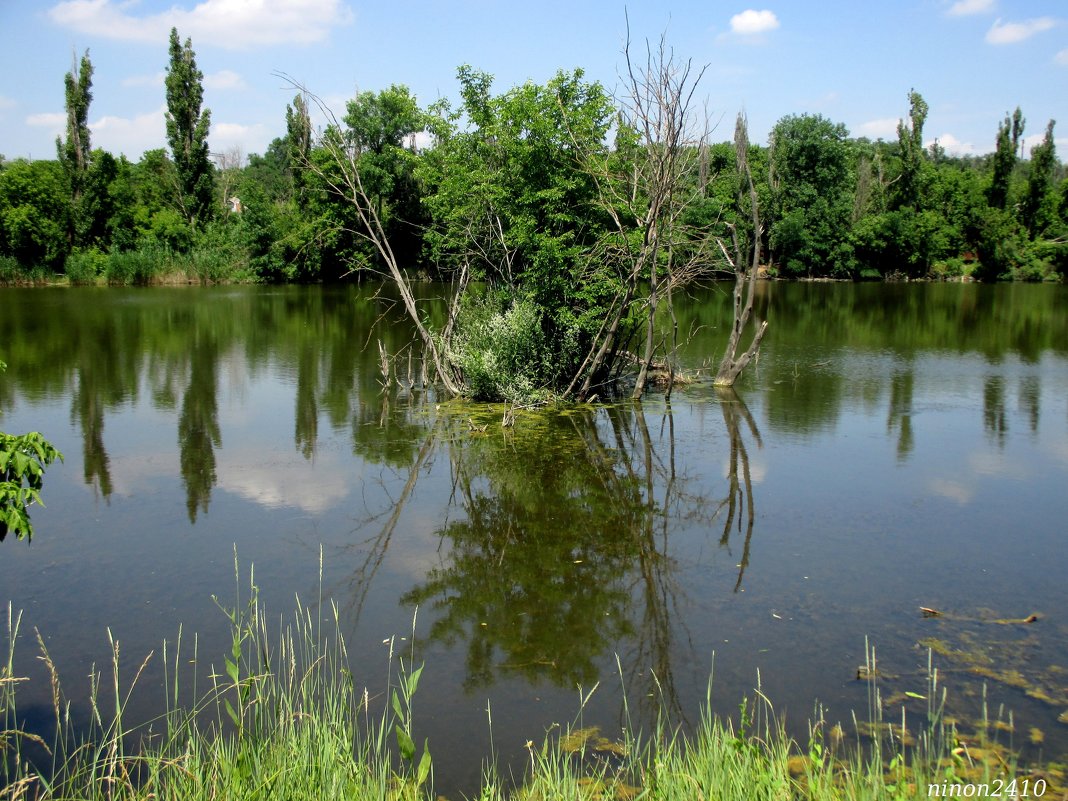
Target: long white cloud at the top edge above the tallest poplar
x,y
235,25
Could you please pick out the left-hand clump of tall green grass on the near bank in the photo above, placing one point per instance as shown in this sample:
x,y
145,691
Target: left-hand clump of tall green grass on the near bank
x,y
284,718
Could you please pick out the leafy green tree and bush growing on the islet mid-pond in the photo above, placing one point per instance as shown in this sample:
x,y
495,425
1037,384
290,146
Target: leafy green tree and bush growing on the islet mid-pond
x,y
511,206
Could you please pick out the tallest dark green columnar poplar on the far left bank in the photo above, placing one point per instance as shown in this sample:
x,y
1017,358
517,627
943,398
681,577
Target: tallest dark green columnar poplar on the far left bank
x,y
187,130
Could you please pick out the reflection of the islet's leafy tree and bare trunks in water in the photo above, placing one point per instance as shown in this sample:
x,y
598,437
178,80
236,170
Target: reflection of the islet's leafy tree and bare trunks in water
x,y
558,540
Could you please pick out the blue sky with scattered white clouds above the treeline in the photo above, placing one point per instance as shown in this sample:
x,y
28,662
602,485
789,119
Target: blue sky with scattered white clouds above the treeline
x,y
853,62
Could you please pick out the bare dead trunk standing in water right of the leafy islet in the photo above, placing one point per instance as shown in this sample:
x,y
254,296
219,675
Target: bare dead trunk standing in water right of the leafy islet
x,y
746,270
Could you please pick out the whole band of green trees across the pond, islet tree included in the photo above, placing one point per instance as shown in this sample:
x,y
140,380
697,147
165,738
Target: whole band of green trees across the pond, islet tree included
x,y
516,190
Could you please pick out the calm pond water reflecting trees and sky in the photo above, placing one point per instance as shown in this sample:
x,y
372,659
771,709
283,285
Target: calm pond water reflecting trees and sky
x,y
896,447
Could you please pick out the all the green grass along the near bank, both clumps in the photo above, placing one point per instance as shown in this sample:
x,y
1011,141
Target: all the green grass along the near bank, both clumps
x,y
285,719
